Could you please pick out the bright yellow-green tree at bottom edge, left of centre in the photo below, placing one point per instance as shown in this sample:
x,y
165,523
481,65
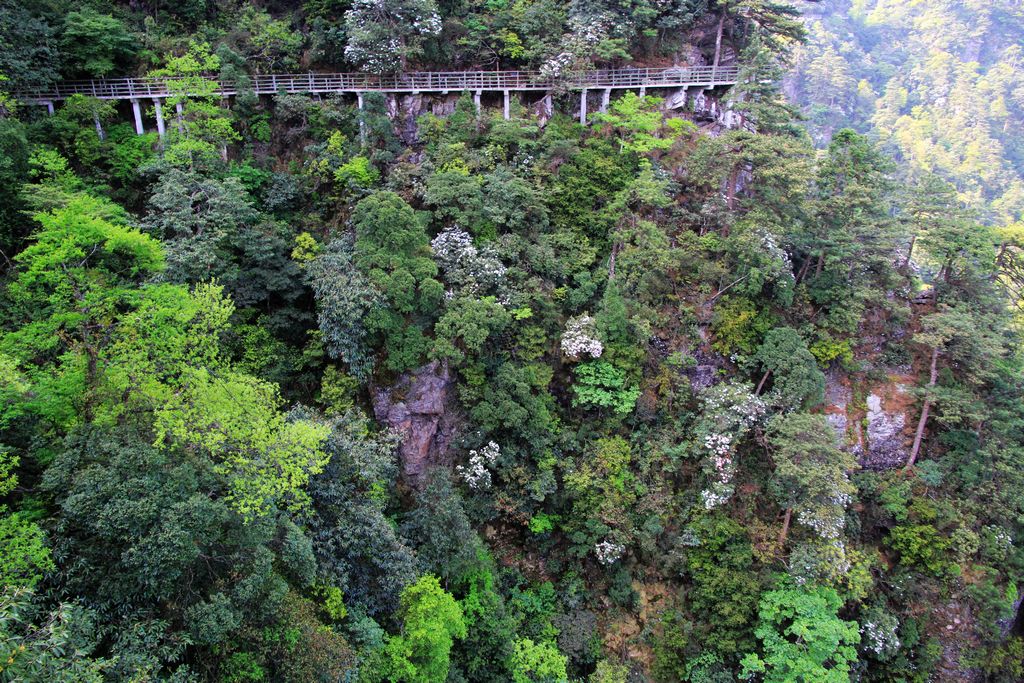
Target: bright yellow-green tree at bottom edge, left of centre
x,y
432,622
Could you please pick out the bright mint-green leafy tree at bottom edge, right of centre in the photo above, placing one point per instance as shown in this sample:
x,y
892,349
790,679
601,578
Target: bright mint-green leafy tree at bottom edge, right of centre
x,y
803,638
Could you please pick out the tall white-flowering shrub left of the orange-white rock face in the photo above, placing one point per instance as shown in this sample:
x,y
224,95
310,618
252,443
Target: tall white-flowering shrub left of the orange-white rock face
x,y
731,411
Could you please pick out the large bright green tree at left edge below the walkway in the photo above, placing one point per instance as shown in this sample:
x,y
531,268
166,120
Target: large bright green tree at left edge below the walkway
x,y
72,280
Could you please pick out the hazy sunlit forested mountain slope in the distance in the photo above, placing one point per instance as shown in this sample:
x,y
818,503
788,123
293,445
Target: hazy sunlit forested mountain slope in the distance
x,y
940,82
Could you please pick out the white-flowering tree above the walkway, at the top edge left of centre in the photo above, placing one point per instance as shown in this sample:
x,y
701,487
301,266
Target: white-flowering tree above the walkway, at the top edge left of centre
x,y
385,34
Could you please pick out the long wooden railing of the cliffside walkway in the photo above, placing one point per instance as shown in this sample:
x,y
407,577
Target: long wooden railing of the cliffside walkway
x,y
132,89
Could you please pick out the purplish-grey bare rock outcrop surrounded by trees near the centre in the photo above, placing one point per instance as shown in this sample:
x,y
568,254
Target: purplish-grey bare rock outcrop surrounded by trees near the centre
x,y
420,408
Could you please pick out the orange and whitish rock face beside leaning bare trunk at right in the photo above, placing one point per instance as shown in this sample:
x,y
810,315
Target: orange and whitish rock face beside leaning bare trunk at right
x,y
877,432
